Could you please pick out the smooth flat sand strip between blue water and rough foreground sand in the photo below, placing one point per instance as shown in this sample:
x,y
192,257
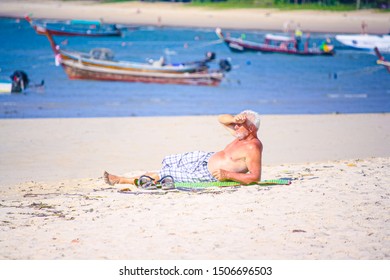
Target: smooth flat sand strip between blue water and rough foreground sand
x,y
56,149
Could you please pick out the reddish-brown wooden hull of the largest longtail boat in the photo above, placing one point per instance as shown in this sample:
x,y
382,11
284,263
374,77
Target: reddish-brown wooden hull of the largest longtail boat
x,y
79,71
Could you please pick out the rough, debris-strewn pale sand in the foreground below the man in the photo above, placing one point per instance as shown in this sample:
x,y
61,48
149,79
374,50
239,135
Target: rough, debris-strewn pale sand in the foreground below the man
x,y
338,210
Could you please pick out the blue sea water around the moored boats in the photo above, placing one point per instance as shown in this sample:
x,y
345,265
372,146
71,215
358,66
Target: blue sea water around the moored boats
x,y
348,82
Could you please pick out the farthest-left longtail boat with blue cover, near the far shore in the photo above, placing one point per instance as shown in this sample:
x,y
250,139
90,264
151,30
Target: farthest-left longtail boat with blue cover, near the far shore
x,y
75,28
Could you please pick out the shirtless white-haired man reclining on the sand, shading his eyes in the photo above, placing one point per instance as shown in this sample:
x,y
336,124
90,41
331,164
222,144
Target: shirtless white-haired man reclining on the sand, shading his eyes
x,y
240,161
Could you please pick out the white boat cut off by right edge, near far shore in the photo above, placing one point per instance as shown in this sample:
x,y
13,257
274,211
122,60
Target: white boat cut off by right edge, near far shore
x,y
366,42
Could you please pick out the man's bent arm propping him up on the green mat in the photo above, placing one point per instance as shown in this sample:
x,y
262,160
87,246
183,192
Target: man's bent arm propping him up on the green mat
x,y
253,161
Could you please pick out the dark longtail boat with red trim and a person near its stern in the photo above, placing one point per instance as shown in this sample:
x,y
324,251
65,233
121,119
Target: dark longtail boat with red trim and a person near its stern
x,y
274,44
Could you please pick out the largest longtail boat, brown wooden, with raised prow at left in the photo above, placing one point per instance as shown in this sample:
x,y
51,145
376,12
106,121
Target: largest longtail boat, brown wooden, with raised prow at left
x,y
99,64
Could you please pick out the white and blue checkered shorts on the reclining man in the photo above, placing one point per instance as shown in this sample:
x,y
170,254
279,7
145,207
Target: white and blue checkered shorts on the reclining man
x,y
187,167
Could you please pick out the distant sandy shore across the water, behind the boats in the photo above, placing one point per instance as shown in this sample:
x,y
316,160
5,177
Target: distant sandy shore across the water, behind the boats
x,y
177,14
